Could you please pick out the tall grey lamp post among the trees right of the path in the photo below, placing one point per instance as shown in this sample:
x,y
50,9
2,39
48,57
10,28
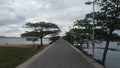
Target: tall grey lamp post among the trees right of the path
x,y
93,32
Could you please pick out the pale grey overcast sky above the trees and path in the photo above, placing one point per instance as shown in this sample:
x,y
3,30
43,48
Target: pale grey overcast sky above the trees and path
x,y
15,13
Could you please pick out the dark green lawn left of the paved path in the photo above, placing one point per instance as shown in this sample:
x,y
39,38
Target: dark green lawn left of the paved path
x,y
10,57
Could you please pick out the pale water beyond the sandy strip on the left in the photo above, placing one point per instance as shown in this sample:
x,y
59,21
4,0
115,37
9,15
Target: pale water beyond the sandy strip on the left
x,y
20,41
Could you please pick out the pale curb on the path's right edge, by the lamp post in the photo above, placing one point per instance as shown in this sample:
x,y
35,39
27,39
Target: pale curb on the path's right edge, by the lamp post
x,y
90,60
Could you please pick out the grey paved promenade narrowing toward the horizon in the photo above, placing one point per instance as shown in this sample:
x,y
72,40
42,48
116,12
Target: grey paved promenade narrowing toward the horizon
x,y
59,55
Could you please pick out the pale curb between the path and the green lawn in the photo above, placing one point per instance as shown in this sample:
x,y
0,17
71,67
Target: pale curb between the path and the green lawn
x,y
33,58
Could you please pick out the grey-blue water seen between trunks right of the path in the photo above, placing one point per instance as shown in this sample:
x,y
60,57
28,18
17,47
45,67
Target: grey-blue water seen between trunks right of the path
x,y
113,55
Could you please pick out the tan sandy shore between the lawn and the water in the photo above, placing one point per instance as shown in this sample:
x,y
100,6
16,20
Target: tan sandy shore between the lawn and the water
x,y
21,45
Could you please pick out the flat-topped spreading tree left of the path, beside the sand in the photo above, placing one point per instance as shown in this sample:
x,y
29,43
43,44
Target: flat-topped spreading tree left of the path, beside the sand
x,y
41,29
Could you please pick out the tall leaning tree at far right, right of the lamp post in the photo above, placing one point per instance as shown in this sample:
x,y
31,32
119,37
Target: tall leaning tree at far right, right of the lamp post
x,y
109,17
